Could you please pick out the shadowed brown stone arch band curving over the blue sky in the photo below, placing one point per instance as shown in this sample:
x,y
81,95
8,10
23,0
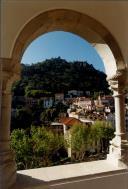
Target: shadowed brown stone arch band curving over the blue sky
x,y
70,21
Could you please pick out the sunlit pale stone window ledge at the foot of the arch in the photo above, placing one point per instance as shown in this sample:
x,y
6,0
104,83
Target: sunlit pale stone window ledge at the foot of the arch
x,y
56,176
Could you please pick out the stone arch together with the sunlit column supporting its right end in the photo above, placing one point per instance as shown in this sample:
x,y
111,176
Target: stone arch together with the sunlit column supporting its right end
x,y
95,33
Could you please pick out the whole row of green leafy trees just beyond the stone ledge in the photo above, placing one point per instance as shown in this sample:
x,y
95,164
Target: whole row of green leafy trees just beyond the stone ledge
x,y
39,147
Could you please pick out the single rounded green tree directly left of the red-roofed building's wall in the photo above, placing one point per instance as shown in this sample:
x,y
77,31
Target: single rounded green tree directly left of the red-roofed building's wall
x,y
46,145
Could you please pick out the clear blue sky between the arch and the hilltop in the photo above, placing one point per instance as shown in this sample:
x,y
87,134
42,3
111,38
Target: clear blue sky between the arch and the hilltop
x,y
64,44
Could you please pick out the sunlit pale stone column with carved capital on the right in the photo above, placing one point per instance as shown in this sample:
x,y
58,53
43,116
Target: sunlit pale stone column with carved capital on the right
x,y
118,153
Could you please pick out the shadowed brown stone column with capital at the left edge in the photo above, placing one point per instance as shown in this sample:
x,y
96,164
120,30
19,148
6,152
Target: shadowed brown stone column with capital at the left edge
x,y
7,160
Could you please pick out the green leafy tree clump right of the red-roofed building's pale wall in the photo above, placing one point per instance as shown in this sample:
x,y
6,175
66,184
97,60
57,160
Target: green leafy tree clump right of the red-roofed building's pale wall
x,y
90,139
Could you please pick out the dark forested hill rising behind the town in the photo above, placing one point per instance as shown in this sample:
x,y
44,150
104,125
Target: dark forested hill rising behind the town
x,y
57,75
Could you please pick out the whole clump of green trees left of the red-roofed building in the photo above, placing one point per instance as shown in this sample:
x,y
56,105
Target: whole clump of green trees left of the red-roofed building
x,y
36,148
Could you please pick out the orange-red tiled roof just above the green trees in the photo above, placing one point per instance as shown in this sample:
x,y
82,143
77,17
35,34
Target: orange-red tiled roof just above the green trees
x,y
70,121
